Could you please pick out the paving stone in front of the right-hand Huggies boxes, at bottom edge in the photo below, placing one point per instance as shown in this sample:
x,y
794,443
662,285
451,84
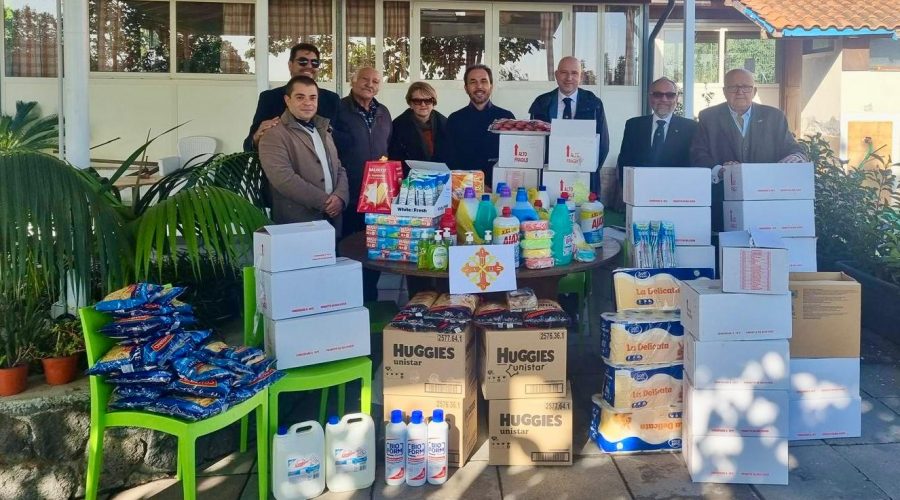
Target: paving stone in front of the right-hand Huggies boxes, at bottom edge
x,y
588,477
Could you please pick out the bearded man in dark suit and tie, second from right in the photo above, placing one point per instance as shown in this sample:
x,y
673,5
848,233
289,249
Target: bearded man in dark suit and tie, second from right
x,y
661,139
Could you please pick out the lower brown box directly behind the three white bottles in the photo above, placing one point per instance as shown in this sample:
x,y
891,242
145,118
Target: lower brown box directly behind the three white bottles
x,y
461,415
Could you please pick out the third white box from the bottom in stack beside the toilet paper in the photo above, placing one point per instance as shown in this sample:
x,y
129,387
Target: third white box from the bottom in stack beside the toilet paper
x,y
743,364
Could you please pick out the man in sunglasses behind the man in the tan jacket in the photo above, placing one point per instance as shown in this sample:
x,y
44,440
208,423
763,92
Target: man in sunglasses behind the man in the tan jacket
x,y
304,61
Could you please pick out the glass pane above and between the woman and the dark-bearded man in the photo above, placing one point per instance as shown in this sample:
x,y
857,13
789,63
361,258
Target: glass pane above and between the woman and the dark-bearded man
x,y
451,41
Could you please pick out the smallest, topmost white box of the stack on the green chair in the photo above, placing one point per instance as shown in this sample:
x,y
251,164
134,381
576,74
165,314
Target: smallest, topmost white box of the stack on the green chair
x,y
286,247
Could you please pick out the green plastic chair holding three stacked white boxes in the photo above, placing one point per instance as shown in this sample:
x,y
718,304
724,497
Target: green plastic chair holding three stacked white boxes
x,y
322,376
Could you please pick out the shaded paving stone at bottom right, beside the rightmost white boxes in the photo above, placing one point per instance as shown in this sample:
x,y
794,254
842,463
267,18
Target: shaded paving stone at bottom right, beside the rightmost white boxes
x,y
818,472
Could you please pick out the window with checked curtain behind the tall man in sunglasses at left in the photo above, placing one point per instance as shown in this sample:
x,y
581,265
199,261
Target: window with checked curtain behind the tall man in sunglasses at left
x,y
300,21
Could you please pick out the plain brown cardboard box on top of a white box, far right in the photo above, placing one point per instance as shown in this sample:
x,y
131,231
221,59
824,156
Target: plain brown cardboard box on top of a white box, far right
x,y
826,315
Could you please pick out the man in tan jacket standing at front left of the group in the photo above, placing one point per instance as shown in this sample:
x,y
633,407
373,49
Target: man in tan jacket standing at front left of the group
x,y
301,163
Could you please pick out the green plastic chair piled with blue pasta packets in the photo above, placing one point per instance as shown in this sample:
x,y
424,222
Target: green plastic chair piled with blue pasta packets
x,y
187,432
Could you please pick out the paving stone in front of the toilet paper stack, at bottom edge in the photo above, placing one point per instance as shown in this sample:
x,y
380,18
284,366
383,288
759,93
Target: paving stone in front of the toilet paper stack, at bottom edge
x,y
664,475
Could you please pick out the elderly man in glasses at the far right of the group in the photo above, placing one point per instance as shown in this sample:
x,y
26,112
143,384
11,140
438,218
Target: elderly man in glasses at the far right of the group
x,y
741,131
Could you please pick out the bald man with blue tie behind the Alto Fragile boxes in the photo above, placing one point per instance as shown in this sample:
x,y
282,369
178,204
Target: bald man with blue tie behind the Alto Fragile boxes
x,y
567,101
